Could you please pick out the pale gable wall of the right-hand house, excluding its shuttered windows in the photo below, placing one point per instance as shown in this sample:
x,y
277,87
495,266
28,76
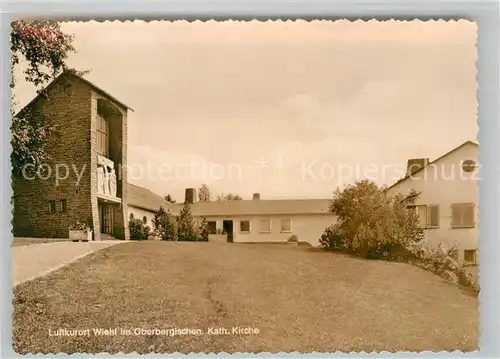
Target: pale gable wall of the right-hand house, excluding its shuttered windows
x,y
445,184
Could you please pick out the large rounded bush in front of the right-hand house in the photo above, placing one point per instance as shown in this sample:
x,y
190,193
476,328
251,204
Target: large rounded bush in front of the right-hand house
x,y
371,223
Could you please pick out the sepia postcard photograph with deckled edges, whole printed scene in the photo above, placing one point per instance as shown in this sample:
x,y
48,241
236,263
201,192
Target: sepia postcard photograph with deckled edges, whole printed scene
x,y
244,186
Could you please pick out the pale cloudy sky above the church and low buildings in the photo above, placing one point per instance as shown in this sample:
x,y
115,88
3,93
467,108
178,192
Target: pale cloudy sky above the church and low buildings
x,y
286,109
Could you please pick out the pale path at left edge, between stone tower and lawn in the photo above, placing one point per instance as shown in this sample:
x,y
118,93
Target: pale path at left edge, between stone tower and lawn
x,y
34,260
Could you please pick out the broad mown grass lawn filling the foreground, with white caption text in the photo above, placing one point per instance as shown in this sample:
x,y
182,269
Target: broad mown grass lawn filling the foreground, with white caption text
x,y
292,299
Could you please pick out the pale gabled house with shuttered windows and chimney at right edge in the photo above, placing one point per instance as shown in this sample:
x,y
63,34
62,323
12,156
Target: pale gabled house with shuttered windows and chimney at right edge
x,y
448,203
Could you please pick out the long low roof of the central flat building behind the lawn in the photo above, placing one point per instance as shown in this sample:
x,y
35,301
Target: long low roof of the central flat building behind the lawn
x,y
257,207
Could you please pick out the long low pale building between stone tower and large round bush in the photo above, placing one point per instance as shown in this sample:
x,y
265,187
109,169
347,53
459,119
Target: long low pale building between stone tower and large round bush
x,y
244,221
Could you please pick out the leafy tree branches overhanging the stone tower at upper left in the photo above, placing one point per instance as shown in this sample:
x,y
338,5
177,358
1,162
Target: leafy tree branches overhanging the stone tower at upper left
x,y
44,47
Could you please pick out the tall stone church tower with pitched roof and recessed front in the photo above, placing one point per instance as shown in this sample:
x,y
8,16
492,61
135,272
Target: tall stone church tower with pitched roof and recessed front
x,y
85,178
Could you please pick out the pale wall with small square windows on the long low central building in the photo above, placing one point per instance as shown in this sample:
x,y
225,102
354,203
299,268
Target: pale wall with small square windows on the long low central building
x,y
307,227
